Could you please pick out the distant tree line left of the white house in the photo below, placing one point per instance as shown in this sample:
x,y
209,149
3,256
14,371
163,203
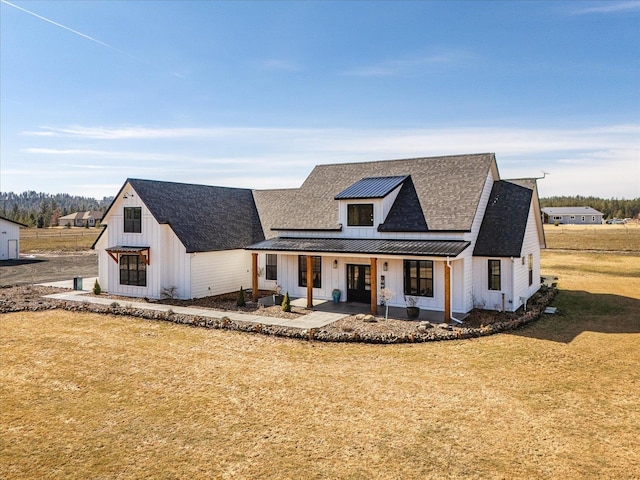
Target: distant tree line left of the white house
x,y
42,210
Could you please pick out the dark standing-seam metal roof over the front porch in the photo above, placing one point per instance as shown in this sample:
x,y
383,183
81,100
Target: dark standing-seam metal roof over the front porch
x,y
435,248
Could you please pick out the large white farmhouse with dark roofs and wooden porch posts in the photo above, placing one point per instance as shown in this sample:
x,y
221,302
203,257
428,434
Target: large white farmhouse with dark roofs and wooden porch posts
x,y
446,231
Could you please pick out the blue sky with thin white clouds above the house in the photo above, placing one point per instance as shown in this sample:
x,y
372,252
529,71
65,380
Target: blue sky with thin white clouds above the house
x,y
255,94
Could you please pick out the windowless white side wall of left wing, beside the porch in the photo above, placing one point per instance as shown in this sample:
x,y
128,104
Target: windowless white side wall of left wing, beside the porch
x,y
214,273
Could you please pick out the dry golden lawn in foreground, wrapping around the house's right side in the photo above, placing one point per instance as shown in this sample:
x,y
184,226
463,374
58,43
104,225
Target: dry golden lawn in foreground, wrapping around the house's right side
x,y
96,396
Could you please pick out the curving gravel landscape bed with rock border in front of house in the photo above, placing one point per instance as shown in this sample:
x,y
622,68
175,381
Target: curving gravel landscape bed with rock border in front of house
x,y
354,328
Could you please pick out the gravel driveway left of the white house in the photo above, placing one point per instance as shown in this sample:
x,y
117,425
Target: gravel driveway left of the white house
x,y
48,267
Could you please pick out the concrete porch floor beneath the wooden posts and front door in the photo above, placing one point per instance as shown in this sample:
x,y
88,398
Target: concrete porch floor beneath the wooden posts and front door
x,y
354,308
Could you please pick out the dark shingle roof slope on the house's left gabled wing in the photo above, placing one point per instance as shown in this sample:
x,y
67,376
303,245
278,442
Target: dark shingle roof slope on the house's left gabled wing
x,y
204,218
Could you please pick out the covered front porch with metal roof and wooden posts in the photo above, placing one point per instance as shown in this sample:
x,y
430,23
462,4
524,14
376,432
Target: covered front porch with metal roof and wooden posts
x,y
364,272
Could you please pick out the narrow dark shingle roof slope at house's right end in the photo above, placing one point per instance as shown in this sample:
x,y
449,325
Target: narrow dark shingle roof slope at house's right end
x,y
505,221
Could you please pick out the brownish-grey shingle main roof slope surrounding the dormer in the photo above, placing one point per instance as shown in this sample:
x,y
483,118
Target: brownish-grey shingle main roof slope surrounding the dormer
x,y
448,188
